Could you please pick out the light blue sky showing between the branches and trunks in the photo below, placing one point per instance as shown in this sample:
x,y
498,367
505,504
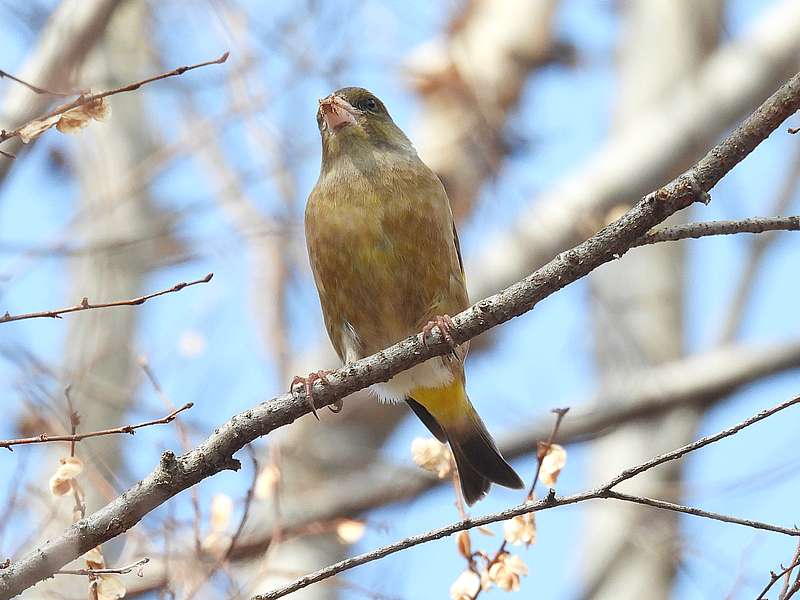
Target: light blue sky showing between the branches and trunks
x,y
564,116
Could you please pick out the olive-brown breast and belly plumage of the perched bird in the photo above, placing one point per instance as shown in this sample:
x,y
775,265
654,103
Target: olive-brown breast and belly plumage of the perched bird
x,y
380,255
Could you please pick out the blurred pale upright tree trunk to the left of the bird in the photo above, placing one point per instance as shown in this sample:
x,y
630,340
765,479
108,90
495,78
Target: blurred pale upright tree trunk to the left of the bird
x,y
99,361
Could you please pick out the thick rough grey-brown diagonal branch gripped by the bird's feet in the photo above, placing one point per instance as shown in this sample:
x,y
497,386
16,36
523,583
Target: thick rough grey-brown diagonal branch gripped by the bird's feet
x,y
174,475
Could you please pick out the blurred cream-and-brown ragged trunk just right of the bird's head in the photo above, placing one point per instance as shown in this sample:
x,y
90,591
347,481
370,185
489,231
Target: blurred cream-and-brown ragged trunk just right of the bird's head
x,y
470,82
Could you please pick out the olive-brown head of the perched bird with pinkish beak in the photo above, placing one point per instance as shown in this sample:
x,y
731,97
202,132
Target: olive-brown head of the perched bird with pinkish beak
x,y
354,121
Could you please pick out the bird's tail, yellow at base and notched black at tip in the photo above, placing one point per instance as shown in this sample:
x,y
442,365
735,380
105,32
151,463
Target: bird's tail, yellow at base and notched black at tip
x,y
478,460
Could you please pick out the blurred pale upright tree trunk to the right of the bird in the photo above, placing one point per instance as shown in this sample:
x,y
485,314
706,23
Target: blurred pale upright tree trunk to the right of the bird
x,y
637,308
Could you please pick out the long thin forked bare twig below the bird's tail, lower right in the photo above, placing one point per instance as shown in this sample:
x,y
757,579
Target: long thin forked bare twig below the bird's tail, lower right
x,y
602,492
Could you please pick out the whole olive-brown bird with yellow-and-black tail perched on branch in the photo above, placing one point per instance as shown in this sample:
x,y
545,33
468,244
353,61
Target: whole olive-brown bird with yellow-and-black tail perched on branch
x,y
387,264
